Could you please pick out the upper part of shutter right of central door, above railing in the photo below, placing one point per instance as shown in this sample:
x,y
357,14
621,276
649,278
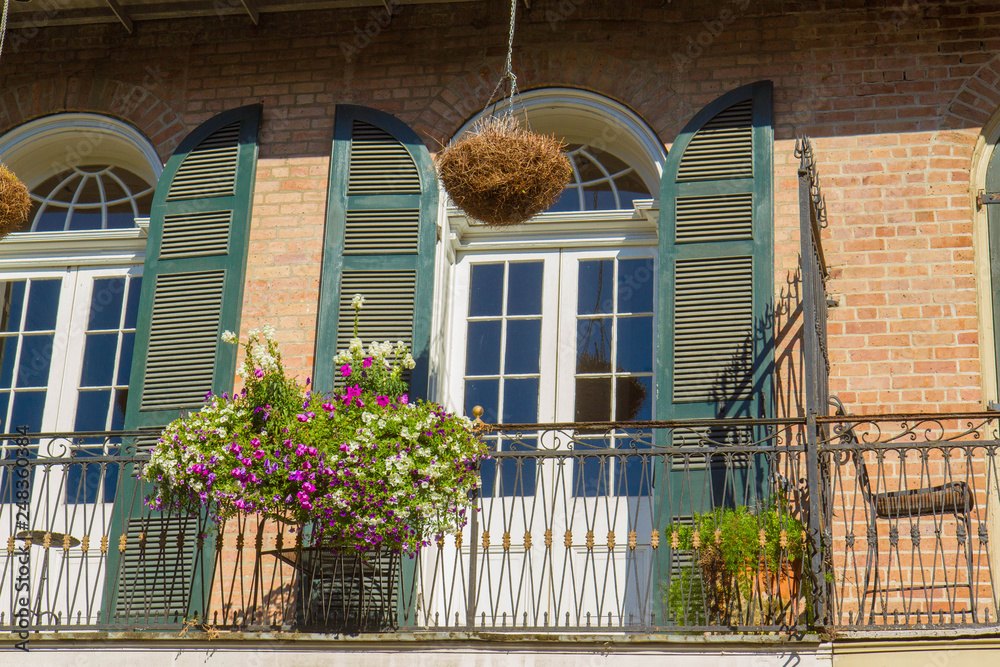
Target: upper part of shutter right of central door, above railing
x,y
716,259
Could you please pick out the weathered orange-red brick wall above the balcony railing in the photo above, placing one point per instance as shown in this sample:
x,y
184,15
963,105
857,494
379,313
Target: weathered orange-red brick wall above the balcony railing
x,y
894,95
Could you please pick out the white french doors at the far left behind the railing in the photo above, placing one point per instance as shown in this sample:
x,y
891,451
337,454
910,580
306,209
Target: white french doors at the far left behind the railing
x,y
65,355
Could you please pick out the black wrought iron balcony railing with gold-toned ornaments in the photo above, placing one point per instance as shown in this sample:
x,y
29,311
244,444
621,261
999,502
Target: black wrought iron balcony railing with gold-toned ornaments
x,y
580,527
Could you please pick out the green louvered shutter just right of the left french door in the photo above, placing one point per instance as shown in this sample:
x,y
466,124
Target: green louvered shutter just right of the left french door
x,y
192,291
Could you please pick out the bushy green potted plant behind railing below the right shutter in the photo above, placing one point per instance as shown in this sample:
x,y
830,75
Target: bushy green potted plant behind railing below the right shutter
x,y
746,564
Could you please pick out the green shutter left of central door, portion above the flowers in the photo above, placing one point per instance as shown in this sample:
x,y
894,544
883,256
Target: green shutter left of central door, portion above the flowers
x,y
379,242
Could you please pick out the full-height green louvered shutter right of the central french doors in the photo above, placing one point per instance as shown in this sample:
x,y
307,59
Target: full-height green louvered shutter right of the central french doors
x,y
715,323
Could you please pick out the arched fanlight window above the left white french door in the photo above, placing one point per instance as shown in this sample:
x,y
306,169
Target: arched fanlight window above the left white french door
x,y
88,198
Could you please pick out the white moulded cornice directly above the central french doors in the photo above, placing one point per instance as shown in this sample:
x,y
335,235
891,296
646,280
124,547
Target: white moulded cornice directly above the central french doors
x,y
581,229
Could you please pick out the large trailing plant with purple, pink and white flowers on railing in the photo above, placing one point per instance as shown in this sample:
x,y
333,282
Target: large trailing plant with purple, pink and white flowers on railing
x,y
365,467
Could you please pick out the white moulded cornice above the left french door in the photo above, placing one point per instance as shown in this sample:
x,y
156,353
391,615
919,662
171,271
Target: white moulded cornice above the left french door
x,y
29,250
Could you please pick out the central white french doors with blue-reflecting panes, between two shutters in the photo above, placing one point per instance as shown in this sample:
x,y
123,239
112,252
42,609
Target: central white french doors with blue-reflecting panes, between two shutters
x,y
557,336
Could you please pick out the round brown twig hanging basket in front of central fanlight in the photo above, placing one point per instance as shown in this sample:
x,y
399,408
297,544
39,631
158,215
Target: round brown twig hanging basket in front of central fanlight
x,y
502,174
